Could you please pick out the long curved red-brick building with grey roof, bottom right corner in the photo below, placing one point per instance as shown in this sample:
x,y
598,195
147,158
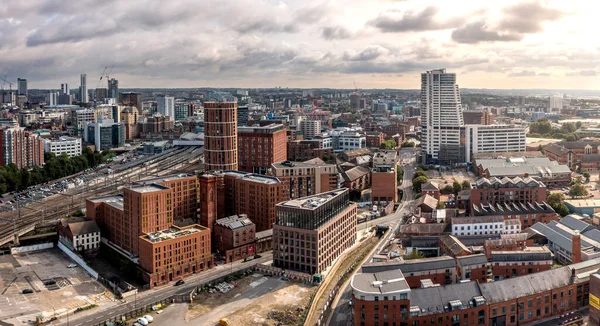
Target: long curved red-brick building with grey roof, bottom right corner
x,y
384,297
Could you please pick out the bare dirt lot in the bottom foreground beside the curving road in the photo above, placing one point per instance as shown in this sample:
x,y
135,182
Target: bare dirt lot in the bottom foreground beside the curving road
x,y
256,300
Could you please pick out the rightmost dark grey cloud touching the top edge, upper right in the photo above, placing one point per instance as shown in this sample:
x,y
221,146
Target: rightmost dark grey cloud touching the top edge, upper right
x,y
528,17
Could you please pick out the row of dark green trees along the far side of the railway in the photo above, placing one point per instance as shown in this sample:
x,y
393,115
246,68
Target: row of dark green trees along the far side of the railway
x,y
14,179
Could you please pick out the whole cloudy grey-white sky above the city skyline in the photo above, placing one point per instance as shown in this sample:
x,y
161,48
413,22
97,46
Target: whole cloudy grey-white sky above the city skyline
x,y
301,43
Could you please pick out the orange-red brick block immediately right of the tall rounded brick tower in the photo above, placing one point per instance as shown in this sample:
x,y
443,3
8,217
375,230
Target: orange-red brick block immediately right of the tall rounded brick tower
x,y
259,147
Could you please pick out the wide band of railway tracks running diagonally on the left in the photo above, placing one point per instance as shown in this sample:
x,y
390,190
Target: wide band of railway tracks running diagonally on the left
x,y
59,205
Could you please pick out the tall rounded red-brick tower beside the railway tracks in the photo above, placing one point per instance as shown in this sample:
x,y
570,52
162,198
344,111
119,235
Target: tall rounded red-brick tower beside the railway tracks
x,y
220,136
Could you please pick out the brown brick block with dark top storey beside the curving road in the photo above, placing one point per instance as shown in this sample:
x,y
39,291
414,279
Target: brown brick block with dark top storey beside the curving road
x,y
311,232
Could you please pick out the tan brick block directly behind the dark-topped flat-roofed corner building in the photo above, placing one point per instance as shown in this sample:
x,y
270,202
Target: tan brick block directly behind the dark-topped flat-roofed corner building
x,y
301,179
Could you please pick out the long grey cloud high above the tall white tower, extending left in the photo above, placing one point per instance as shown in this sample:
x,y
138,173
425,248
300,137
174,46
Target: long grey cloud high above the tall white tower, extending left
x,y
409,21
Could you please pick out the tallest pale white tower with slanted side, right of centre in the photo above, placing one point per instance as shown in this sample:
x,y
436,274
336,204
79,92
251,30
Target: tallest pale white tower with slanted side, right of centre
x,y
441,118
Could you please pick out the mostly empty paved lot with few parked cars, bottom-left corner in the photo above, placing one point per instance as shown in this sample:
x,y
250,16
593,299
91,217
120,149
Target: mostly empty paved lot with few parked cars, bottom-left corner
x,y
55,287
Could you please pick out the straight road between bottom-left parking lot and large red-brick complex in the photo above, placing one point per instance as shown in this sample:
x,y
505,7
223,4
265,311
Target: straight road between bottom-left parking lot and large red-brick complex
x,y
97,315
